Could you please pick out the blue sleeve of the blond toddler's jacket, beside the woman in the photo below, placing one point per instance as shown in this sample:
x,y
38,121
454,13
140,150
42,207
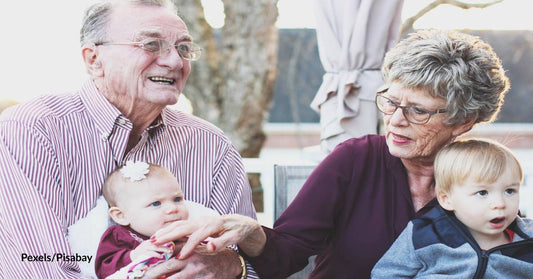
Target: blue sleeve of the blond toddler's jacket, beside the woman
x,y
400,260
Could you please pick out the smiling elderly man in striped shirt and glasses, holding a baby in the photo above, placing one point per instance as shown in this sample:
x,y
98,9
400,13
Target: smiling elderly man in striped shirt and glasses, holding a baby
x,y
57,150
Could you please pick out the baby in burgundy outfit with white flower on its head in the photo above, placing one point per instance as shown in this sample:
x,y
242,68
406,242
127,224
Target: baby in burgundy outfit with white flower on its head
x,y
142,199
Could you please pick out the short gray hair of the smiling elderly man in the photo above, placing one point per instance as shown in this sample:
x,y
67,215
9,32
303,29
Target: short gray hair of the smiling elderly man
x,y
94,25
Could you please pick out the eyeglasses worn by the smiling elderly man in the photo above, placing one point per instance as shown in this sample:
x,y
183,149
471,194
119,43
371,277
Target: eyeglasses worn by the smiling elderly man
x,y
159,47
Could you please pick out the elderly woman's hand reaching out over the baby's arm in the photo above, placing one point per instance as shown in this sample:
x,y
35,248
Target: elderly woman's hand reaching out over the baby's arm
x,y
224,230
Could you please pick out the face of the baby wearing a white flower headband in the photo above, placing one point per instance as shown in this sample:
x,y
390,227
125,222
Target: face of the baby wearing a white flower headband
x,y
153,202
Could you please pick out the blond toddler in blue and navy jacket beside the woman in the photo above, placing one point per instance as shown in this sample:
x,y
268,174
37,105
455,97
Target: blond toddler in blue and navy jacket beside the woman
x,y
476,231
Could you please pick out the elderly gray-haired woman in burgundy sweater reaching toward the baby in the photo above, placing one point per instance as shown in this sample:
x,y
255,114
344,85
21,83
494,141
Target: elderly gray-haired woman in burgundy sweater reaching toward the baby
x,y
360,198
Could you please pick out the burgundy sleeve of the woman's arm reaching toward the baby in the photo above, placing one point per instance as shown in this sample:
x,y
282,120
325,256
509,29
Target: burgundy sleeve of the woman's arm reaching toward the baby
x,y
304,228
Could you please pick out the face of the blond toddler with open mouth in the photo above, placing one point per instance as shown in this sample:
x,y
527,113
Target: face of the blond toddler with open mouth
x,y
486,209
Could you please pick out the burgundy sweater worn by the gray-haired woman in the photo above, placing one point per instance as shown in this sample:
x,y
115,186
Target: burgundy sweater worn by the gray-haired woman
x,y
348,213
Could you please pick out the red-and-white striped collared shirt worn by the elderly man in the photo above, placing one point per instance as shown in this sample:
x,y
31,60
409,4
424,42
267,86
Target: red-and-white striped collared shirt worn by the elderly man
x,y
56,151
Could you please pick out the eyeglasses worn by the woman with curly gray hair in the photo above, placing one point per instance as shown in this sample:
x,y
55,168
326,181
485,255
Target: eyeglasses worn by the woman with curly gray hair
x,y
415,115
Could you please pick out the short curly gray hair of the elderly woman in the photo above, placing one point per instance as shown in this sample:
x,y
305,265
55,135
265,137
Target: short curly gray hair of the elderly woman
x,y
457,67
